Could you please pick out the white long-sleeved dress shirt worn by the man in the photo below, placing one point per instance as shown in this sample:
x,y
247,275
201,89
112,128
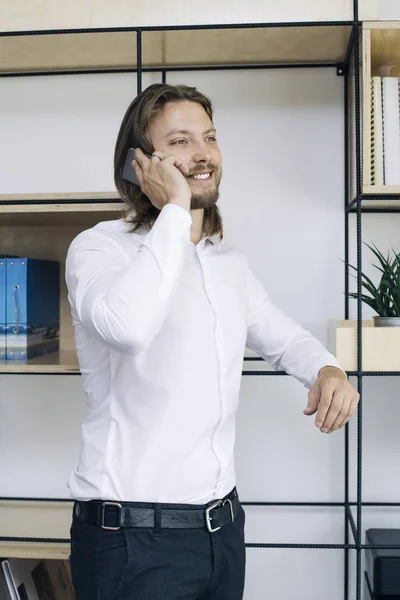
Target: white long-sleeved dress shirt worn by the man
x,y
161,326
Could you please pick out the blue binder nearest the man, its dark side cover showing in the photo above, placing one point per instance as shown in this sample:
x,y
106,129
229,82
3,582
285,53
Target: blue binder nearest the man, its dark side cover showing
x,y
32,308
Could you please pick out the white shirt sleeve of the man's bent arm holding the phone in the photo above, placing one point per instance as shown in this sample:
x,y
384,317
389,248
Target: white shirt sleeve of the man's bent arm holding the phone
x,y
125,305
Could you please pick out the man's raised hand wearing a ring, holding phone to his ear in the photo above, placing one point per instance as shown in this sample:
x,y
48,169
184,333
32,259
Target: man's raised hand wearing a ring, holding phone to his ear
x,y
162,179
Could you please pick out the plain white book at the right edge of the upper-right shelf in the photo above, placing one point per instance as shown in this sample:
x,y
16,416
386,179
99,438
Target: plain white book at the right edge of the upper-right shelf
x,y
391,130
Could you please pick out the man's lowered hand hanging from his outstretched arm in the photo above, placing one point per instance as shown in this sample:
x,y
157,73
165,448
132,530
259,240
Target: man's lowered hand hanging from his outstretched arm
x,y
333,398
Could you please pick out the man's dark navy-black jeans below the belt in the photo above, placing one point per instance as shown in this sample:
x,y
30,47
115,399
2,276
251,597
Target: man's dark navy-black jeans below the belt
x,y
165,564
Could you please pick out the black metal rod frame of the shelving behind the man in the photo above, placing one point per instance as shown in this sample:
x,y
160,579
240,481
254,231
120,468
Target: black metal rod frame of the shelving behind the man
x,y
354,207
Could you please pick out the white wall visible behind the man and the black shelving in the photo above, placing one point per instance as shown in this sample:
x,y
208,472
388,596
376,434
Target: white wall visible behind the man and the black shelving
x,y
281,134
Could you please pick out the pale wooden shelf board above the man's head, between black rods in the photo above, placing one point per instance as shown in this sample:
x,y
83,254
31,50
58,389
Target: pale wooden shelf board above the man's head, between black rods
x,y
173,48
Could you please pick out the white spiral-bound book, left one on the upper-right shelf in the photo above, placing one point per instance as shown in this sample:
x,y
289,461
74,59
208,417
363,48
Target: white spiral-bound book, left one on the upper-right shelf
x,y
377,167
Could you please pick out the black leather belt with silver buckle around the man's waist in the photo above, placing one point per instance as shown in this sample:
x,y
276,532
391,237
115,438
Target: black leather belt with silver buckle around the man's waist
x,y
114,515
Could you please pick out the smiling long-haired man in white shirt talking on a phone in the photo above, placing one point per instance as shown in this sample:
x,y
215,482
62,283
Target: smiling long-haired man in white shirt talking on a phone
x,y
162,312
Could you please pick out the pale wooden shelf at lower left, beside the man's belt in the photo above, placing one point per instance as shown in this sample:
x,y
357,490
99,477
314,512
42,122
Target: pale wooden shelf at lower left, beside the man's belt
x,y
31,519
